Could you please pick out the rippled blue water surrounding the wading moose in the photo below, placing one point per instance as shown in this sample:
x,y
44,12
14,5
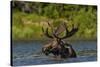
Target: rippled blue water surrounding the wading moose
x,y
29,53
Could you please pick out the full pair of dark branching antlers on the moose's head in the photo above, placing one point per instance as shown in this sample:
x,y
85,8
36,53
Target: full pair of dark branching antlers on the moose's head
x,y
56,33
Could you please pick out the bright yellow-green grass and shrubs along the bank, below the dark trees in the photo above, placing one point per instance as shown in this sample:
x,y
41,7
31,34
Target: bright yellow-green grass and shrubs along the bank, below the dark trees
x,y
28,26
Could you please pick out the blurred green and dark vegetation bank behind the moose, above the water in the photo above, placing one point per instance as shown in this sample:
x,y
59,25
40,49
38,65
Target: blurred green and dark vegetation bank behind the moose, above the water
x,y
29,17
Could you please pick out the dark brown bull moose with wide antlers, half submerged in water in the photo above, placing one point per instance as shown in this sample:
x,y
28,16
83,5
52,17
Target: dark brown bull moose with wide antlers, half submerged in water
x,y
58,47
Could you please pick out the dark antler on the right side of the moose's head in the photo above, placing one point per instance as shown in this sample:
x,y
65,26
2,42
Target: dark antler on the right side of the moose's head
x,y
68,33
